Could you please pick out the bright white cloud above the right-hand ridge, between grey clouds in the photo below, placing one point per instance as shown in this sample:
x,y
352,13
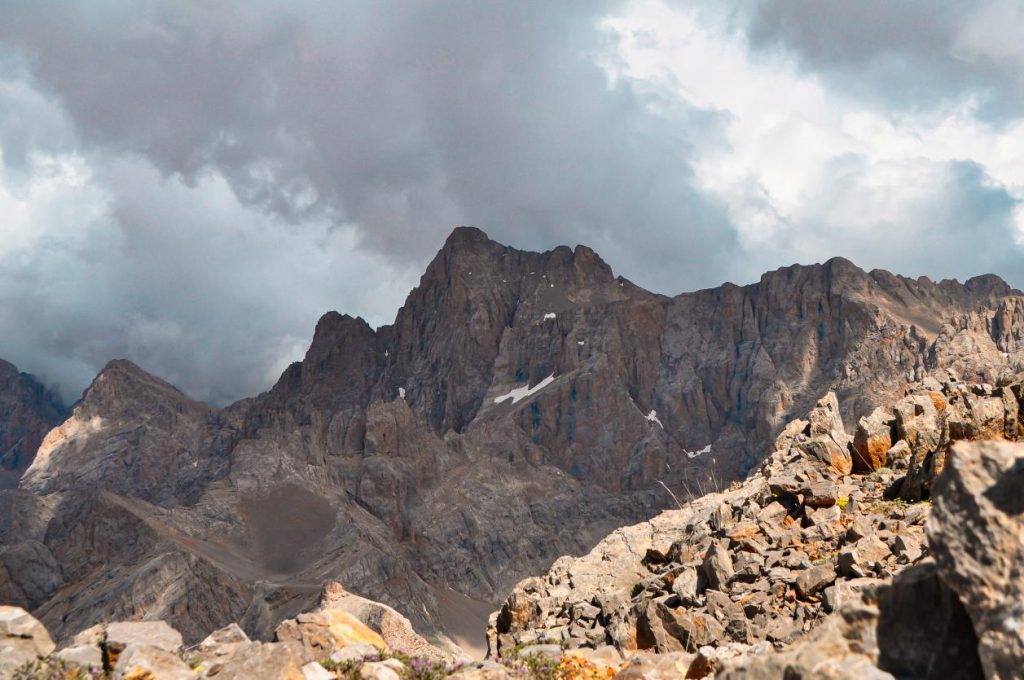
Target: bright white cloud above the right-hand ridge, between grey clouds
x,y
804,159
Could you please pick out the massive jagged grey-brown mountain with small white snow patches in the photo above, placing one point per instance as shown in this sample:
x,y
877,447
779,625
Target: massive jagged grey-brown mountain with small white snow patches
x,y
522,407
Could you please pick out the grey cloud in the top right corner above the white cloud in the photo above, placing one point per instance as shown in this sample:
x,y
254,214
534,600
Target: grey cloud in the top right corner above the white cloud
x,y
912,54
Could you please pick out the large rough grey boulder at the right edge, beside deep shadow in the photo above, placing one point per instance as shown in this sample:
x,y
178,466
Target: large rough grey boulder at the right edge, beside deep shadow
x,y
976,534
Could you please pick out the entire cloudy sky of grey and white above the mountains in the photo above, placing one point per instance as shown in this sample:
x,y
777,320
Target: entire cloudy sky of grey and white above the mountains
x,y
191,184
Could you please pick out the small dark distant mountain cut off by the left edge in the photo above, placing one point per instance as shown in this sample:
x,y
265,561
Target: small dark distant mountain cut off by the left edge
x,y
28,411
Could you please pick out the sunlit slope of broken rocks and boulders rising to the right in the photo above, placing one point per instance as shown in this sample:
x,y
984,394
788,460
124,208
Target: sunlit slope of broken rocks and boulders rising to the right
x,y
807,544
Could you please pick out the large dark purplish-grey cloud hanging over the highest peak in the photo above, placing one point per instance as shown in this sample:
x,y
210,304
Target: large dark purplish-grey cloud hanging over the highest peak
x,y
402,118
